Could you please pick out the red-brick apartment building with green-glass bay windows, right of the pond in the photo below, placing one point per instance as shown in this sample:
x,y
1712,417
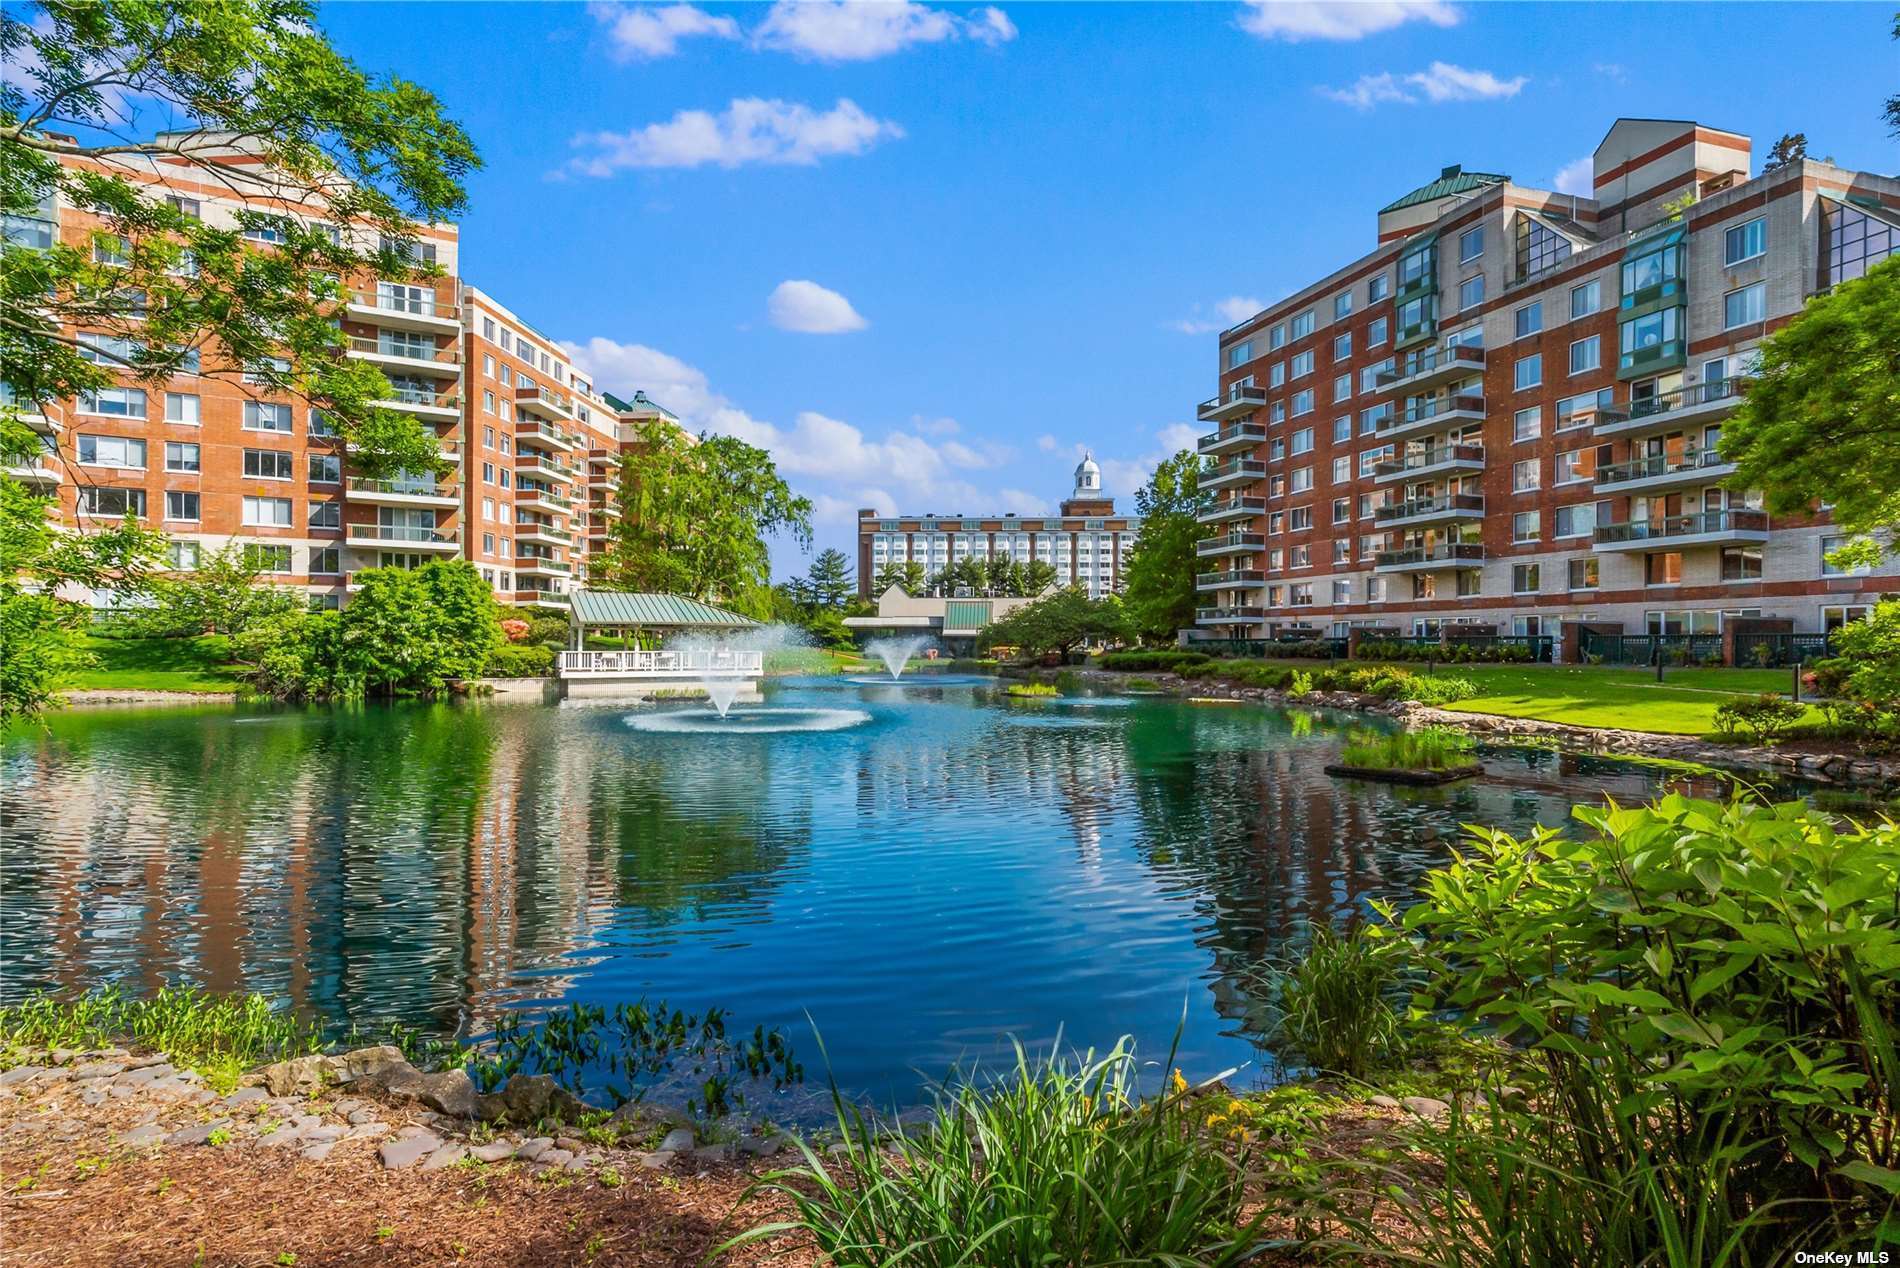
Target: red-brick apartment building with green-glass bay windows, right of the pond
x,y
1508,412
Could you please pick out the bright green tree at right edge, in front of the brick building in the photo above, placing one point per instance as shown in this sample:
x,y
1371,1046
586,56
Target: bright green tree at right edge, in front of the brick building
x,y
1821,423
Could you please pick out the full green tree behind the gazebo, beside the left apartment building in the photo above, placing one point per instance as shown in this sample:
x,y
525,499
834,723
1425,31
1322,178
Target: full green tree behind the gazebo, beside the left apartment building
x,y
694,516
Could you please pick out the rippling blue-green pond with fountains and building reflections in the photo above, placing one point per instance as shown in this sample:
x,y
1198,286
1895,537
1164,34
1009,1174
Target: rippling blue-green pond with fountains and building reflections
x,y
921,870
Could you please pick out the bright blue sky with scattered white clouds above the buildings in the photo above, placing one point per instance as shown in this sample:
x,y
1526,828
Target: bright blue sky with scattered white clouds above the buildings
x,y
926,254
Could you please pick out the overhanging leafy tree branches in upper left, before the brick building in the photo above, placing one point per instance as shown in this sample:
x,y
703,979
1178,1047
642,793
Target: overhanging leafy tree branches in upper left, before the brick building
x,y
337,172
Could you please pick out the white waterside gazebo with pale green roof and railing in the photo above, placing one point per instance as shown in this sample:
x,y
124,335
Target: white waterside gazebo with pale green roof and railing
x,y
634,617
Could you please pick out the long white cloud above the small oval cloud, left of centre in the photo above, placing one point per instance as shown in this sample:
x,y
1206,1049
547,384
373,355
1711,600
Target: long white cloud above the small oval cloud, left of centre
x,y
750,132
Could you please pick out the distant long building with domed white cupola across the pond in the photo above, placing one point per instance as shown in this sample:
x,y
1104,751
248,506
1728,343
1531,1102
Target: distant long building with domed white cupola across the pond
x,y
1086,543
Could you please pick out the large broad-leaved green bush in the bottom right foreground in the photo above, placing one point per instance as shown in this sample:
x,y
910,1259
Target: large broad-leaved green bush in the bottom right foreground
x,y
1701,1001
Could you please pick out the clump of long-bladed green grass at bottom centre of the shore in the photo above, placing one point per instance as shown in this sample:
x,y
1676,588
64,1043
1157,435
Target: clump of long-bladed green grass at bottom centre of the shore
x,y
1054,1164
